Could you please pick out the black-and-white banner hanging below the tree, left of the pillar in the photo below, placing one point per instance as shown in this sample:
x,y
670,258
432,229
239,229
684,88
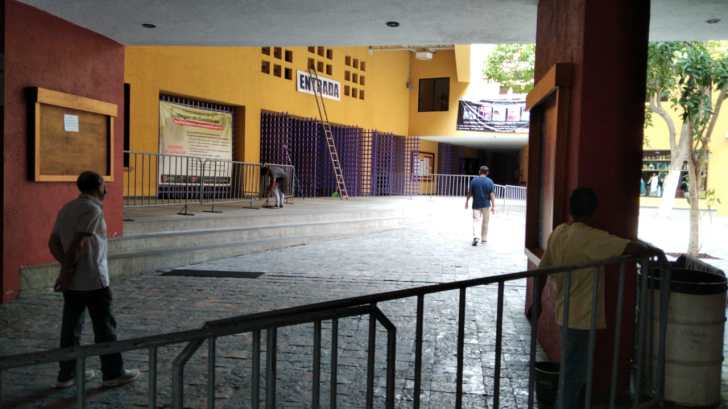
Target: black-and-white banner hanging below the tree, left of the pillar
x,y
497,115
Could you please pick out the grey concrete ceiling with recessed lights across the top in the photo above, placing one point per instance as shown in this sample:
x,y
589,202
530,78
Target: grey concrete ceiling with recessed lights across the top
x,y
351,22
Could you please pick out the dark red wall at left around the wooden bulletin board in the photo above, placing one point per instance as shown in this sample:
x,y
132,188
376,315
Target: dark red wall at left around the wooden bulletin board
x,y
45,51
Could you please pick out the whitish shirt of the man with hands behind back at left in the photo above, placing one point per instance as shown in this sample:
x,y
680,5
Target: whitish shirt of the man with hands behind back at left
x,y
85,214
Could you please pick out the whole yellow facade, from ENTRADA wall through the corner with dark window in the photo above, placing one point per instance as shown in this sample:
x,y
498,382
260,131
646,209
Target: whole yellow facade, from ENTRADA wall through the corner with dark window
x,y
233,76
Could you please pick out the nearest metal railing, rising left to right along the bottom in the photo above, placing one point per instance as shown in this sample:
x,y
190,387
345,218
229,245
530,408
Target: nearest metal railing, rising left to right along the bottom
x,y
367,305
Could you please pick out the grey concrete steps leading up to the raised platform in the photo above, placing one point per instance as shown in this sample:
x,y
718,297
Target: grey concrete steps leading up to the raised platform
x,y
153,251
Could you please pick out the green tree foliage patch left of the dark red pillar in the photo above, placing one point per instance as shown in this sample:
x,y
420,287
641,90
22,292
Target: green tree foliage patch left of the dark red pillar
x,y
512,66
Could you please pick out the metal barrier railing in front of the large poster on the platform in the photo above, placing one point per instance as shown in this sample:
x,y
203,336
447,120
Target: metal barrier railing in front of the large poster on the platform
x,y
155,179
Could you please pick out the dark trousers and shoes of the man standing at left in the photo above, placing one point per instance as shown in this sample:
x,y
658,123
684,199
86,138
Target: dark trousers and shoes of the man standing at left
x,y
98,303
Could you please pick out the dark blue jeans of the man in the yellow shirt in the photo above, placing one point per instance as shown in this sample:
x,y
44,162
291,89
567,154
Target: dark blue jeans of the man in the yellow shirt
x,y
574,371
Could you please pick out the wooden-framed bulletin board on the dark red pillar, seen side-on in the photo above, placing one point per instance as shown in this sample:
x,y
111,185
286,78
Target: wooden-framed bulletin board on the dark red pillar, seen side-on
x,y
548,104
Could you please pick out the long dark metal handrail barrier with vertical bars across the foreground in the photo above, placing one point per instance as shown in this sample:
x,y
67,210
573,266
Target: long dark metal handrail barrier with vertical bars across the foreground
x,y
365,305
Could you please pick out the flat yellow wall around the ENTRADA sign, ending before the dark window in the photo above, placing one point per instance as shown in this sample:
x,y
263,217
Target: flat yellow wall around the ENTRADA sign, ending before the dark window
x,y
232,75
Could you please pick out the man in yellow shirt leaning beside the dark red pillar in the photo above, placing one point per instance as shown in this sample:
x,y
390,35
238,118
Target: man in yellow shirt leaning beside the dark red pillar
x,y
578,243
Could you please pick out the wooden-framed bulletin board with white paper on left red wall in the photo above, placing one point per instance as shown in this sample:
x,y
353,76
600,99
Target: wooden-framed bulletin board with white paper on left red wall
x,y
71,134
